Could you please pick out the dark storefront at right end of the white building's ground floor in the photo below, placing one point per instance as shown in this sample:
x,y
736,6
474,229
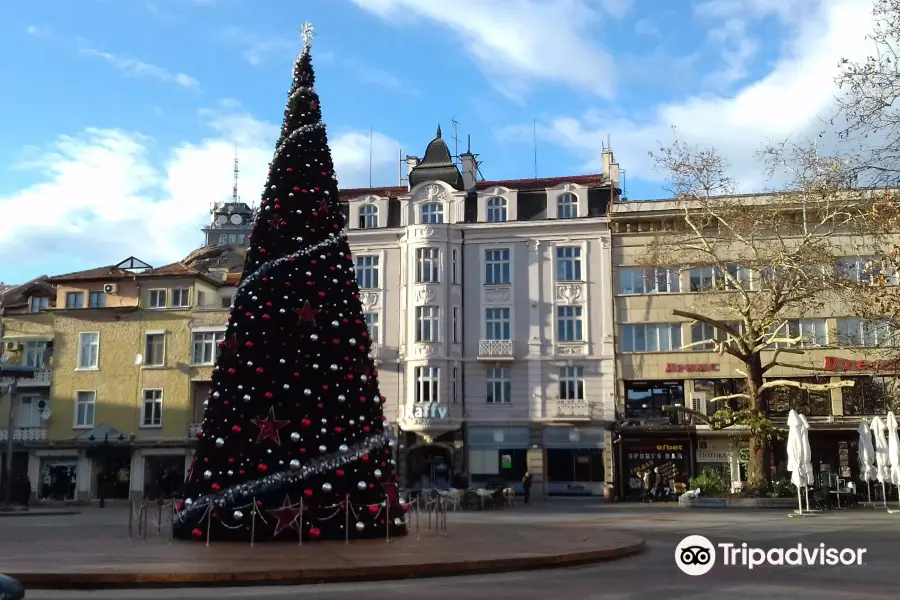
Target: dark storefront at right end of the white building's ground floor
x,y
574,461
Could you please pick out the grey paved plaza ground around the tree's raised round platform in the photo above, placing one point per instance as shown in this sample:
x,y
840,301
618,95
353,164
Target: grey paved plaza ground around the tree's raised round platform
x,y
652,574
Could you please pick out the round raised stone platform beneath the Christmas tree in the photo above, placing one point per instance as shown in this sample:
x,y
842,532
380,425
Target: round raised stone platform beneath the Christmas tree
x,y
92,550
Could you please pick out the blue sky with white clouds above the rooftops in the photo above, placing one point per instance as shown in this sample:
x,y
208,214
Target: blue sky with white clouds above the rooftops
x,y
121,117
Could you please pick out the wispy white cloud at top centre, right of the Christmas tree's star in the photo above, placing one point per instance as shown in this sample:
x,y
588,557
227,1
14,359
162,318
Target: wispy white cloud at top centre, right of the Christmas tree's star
x,y
517,41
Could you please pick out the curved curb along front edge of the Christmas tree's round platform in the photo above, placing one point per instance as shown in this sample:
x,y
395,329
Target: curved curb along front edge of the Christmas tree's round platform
x,y
98,581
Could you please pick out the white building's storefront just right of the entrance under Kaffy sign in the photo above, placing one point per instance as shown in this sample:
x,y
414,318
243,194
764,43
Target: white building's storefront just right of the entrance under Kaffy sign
x,y
498,456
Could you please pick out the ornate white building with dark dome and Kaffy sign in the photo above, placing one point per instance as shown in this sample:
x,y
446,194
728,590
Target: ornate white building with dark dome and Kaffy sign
x,y
491,308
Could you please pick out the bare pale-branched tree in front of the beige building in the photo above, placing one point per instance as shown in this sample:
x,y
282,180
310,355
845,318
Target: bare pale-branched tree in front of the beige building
x,y
771,257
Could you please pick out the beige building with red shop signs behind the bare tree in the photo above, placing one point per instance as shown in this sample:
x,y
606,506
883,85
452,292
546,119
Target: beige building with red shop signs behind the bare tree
x,y
653,371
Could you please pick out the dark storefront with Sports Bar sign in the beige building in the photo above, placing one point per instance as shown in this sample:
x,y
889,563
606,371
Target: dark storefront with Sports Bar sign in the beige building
x,y
672,456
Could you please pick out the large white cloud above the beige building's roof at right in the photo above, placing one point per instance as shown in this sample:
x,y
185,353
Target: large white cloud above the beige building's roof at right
x,y
790,101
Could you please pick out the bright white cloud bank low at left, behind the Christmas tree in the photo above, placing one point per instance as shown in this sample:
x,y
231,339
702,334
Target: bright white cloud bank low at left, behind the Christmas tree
x,y
105,194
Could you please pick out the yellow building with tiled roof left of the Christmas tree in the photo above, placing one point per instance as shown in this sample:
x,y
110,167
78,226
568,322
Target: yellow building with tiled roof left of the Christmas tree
x,y
132,355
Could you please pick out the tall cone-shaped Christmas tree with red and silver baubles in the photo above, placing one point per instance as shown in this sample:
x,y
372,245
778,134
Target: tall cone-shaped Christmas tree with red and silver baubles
x,y
295,417
